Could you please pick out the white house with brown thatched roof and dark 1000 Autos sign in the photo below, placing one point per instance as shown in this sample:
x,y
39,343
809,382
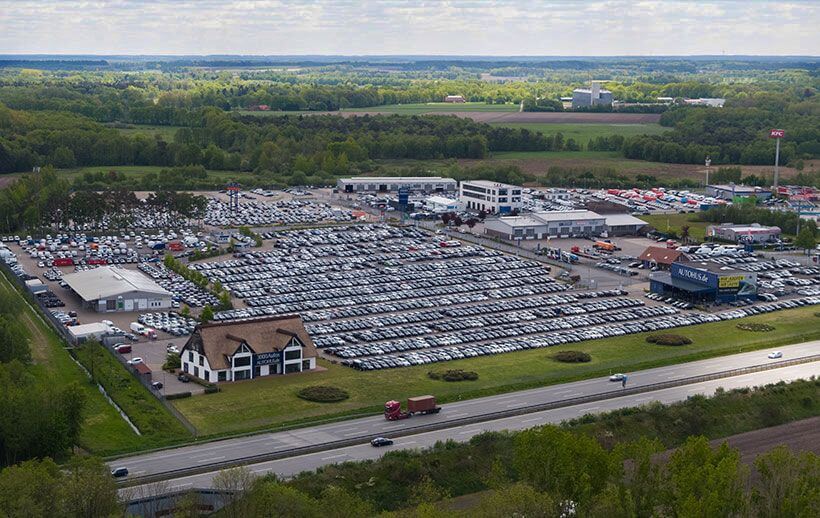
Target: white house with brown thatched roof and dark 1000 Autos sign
x,y
248,349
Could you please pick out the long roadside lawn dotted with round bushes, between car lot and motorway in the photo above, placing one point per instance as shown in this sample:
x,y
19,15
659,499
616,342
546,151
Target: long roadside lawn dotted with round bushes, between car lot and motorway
x,y
268,403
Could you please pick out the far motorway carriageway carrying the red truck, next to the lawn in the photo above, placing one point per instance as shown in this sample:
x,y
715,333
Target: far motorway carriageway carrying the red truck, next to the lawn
x,y
223,451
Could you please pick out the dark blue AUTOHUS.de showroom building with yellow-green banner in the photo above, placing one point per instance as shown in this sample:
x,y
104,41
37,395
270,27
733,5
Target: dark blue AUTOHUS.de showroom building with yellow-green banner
x,y
704,283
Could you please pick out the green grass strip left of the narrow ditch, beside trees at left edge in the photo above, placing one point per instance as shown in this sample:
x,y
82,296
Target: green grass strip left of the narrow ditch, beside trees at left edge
x,y
103,432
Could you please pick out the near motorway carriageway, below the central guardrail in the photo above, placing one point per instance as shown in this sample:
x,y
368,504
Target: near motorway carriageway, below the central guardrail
x,y
292,465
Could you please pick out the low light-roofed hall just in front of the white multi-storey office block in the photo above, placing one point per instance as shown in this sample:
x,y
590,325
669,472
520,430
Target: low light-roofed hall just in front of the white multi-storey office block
x,y
541,225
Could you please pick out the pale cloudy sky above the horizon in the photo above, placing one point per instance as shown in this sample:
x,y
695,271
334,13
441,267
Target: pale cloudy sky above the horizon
x,y
383,27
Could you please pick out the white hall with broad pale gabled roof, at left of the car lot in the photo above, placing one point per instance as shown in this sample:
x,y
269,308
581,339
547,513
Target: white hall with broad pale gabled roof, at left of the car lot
x,y
107,289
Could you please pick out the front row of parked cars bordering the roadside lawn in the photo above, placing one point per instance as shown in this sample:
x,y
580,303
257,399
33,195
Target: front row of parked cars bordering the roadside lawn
x,y
406,359
